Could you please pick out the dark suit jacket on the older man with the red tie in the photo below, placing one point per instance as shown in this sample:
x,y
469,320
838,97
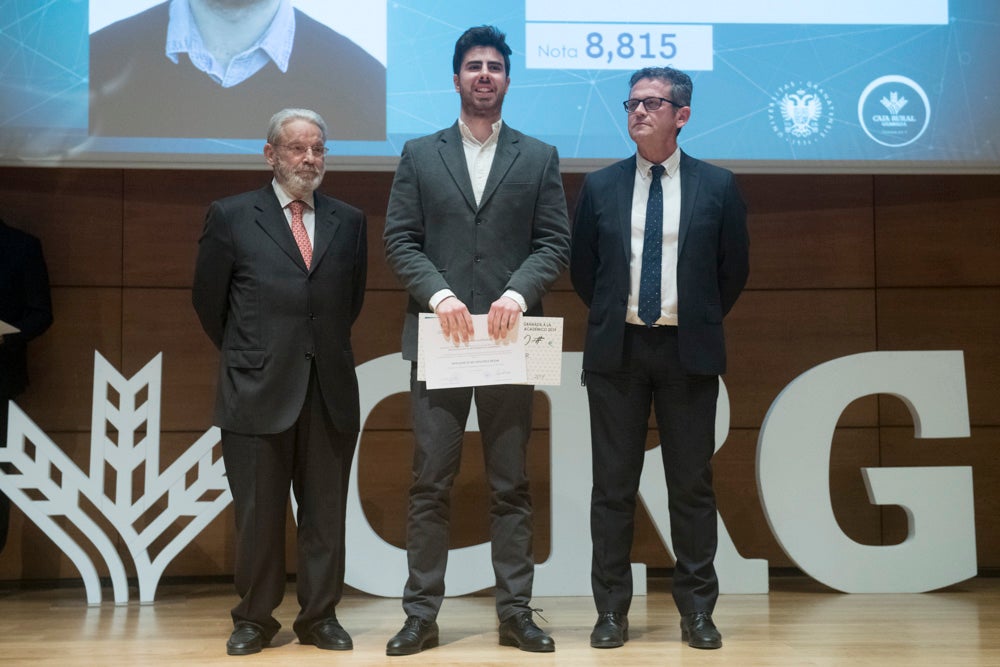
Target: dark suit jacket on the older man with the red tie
x,y
271,318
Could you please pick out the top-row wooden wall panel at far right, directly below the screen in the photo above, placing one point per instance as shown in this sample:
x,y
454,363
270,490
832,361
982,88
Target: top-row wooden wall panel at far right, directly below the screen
x,y
937,230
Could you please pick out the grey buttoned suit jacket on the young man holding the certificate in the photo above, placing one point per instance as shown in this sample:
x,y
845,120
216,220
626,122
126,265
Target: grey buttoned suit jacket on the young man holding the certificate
x,y
436,237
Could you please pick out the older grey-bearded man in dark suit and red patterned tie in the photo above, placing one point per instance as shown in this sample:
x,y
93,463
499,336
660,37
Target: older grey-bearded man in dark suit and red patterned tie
x,y
279,280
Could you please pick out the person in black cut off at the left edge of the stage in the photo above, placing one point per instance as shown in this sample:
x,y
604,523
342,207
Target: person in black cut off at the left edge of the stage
x,y
26,305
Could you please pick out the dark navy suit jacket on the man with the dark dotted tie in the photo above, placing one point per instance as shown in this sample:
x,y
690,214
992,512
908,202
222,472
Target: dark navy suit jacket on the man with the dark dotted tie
x,y
712,262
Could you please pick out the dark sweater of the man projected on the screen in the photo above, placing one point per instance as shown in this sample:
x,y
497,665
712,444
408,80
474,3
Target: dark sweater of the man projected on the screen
x,y
136,91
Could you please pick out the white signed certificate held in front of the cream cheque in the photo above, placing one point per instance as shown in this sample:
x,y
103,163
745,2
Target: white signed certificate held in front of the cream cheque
x,y
481,361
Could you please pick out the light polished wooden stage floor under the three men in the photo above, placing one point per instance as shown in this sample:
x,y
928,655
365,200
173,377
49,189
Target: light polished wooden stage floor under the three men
x,y
799,623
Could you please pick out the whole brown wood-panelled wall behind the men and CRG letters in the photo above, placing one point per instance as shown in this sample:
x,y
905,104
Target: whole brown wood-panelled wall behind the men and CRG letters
x,y
828,253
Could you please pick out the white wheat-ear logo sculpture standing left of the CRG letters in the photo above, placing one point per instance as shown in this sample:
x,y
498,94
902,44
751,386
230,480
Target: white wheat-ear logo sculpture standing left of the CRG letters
x,y
124,448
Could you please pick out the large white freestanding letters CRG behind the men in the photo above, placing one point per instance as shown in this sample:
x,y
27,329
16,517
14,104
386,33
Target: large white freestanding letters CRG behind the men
x,y
793,472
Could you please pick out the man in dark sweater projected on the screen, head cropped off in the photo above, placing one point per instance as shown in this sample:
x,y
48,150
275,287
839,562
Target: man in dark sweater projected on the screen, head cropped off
x,y
218,62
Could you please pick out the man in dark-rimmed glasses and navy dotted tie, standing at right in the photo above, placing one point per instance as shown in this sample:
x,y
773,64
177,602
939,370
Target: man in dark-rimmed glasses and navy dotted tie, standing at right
x,y
659,255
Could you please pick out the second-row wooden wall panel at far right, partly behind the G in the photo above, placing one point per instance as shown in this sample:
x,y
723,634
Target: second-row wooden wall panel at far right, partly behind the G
x,y
947,319
